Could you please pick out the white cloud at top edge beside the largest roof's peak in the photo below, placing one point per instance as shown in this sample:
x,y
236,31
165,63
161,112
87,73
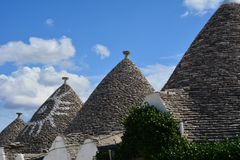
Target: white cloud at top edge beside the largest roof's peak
x,y
200,7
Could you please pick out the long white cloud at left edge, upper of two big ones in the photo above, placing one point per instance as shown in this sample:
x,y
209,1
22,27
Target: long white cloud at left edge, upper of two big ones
x,y
38,51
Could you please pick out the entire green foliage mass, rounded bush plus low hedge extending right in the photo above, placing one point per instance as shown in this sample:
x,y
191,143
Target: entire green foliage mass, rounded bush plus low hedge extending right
x,y
153,135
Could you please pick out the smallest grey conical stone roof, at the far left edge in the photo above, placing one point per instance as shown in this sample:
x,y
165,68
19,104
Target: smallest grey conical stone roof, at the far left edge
x,y
10,133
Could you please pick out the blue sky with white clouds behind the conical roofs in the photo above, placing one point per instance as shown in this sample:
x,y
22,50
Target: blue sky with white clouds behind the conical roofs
x,y
40,41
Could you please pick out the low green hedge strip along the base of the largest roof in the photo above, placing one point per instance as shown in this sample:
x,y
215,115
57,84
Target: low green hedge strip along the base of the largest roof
x,y
227,149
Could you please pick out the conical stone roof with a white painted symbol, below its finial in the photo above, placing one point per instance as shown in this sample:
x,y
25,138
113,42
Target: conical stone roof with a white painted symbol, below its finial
x,y
50,120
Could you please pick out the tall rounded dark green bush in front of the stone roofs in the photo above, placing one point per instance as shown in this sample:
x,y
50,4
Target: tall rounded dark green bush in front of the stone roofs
x,y
148,132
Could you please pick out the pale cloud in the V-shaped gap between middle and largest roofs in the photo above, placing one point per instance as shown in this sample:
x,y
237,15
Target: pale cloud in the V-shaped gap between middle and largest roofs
x,y
158,74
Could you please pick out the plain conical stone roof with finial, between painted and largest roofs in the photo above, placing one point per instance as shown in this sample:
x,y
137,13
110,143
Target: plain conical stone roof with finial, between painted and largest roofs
x,y
109,104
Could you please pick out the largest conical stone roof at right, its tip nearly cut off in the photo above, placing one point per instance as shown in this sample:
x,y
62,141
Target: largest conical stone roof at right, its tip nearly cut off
x,y
204,90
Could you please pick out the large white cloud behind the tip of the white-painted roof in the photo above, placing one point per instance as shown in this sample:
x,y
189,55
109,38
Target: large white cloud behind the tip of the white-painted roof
x,y
30,87
